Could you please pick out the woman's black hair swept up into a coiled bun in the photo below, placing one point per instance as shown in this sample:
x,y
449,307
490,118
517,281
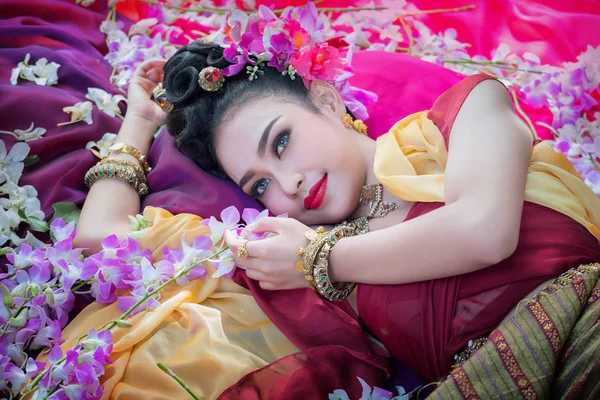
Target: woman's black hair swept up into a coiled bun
x,y
198,113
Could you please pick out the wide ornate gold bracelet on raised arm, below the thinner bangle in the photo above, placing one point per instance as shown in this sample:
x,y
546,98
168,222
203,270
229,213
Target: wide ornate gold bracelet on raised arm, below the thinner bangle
x,y
126,171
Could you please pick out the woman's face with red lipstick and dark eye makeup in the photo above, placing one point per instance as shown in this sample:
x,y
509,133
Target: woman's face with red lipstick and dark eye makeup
x,y
292,160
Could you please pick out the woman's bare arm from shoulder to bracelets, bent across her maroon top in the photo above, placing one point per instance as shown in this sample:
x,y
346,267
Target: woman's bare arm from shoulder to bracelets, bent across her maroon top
x,y
484,193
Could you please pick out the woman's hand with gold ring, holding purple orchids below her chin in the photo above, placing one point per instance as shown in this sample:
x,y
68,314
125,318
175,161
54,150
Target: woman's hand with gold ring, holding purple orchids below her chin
x,y
272,261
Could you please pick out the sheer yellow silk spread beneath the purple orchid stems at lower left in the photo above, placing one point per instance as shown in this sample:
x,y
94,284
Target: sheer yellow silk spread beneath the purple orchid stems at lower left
x,y
210,333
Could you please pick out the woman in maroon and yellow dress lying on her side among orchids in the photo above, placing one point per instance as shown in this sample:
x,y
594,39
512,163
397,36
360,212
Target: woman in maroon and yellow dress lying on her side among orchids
x,y
456,243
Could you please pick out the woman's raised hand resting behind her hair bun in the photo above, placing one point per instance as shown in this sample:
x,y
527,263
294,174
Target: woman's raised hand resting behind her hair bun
x,y
140,104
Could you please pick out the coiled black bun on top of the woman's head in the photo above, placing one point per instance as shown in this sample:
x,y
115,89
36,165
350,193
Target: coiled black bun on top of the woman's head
x,y
181,71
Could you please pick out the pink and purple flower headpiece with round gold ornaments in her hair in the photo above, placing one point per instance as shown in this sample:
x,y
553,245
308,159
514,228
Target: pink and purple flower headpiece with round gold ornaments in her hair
x,y
293,43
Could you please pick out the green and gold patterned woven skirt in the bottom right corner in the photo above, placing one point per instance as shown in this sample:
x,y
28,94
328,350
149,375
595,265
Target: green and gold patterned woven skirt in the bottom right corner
x,y
549,348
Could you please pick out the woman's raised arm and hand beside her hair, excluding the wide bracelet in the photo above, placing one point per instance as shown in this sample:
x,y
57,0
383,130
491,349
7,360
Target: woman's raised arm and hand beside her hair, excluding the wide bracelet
x,y
110,201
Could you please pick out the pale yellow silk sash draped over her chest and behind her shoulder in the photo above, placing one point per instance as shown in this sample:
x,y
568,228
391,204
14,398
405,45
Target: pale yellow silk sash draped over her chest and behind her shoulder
x,y
410,161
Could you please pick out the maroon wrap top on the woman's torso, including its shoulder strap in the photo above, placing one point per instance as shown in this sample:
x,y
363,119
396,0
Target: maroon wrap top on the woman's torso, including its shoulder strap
x,y
424,324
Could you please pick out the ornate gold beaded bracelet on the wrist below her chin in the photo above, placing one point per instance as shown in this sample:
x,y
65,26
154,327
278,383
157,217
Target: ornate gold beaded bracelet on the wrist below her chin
x,y
317,263
